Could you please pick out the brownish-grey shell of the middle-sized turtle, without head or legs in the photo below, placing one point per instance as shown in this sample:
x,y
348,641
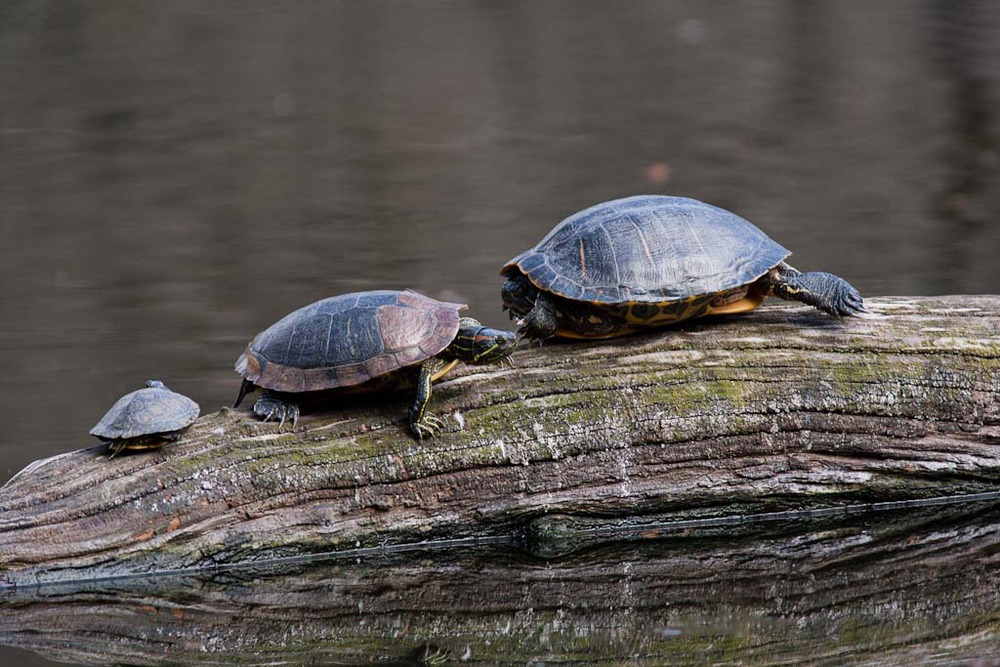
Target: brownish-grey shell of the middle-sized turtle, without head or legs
x,y
349,339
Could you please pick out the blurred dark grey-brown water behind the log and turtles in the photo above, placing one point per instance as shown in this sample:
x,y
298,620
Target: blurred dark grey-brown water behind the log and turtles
x,y
176,175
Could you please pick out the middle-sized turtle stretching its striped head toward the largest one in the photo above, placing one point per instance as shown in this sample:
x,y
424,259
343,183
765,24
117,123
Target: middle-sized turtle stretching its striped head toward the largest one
x,y
365,341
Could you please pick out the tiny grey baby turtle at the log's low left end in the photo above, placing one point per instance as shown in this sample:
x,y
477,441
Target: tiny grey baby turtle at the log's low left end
x,y
146,418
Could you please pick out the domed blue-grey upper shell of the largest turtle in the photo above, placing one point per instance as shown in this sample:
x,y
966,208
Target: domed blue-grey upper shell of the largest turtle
x,y
648,248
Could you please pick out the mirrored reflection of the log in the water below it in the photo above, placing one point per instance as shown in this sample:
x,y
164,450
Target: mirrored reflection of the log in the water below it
x,y
887,588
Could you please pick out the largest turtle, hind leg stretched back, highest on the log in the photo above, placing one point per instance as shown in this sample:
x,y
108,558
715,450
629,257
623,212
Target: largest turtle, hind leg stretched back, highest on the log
x,y
651,260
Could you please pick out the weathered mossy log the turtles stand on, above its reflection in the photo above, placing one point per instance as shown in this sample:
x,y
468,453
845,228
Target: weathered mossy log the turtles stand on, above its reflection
x,y
782,408
